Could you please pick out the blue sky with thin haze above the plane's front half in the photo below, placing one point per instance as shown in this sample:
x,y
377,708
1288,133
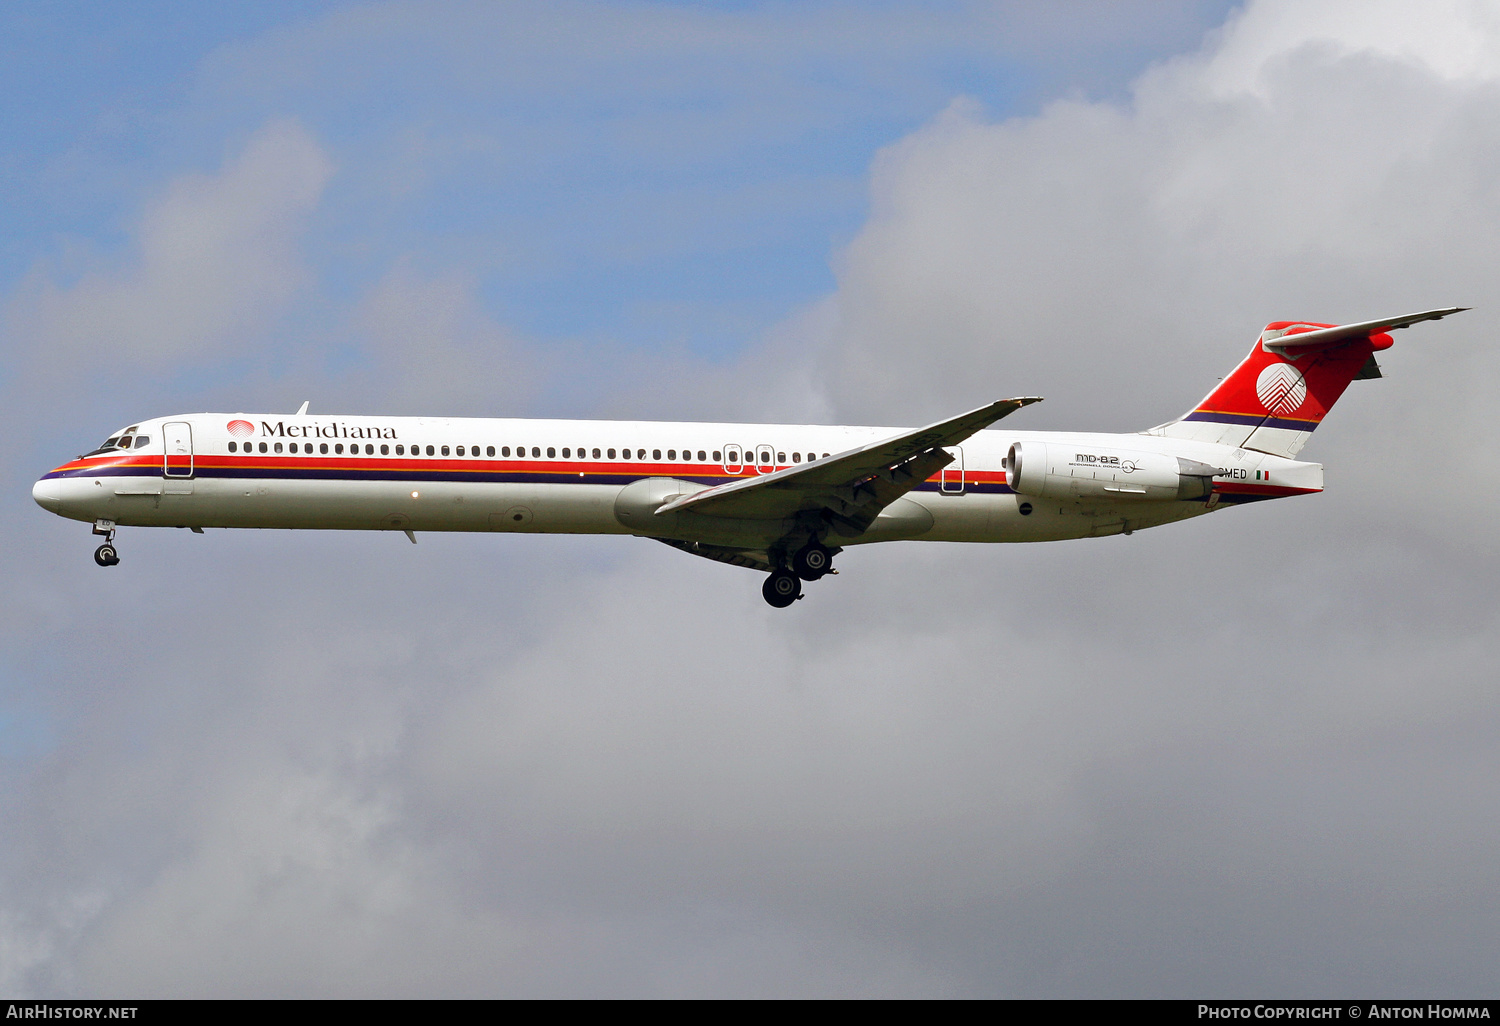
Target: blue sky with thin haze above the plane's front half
x,y
652,173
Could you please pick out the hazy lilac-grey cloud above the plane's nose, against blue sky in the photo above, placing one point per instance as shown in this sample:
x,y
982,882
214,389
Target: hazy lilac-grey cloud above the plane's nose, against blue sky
x,y
212,262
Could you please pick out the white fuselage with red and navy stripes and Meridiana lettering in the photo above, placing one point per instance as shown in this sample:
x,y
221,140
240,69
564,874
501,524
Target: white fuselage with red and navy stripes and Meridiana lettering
x,y
568,476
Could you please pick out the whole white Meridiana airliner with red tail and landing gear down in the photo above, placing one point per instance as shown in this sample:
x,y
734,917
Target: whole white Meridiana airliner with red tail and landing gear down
x,y
779,499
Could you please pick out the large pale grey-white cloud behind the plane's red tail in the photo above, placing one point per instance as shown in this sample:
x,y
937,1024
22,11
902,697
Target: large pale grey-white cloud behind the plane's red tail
x,y
1121,257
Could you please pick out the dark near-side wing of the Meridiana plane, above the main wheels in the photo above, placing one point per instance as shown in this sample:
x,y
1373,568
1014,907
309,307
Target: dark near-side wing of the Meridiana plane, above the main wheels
x,y
851,487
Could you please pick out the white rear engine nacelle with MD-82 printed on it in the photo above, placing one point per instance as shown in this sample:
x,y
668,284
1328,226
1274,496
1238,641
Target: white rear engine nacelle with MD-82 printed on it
x,y
1048,470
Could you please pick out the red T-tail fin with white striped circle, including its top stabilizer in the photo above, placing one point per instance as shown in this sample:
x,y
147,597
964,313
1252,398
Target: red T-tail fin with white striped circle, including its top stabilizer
x,y
1282,392
